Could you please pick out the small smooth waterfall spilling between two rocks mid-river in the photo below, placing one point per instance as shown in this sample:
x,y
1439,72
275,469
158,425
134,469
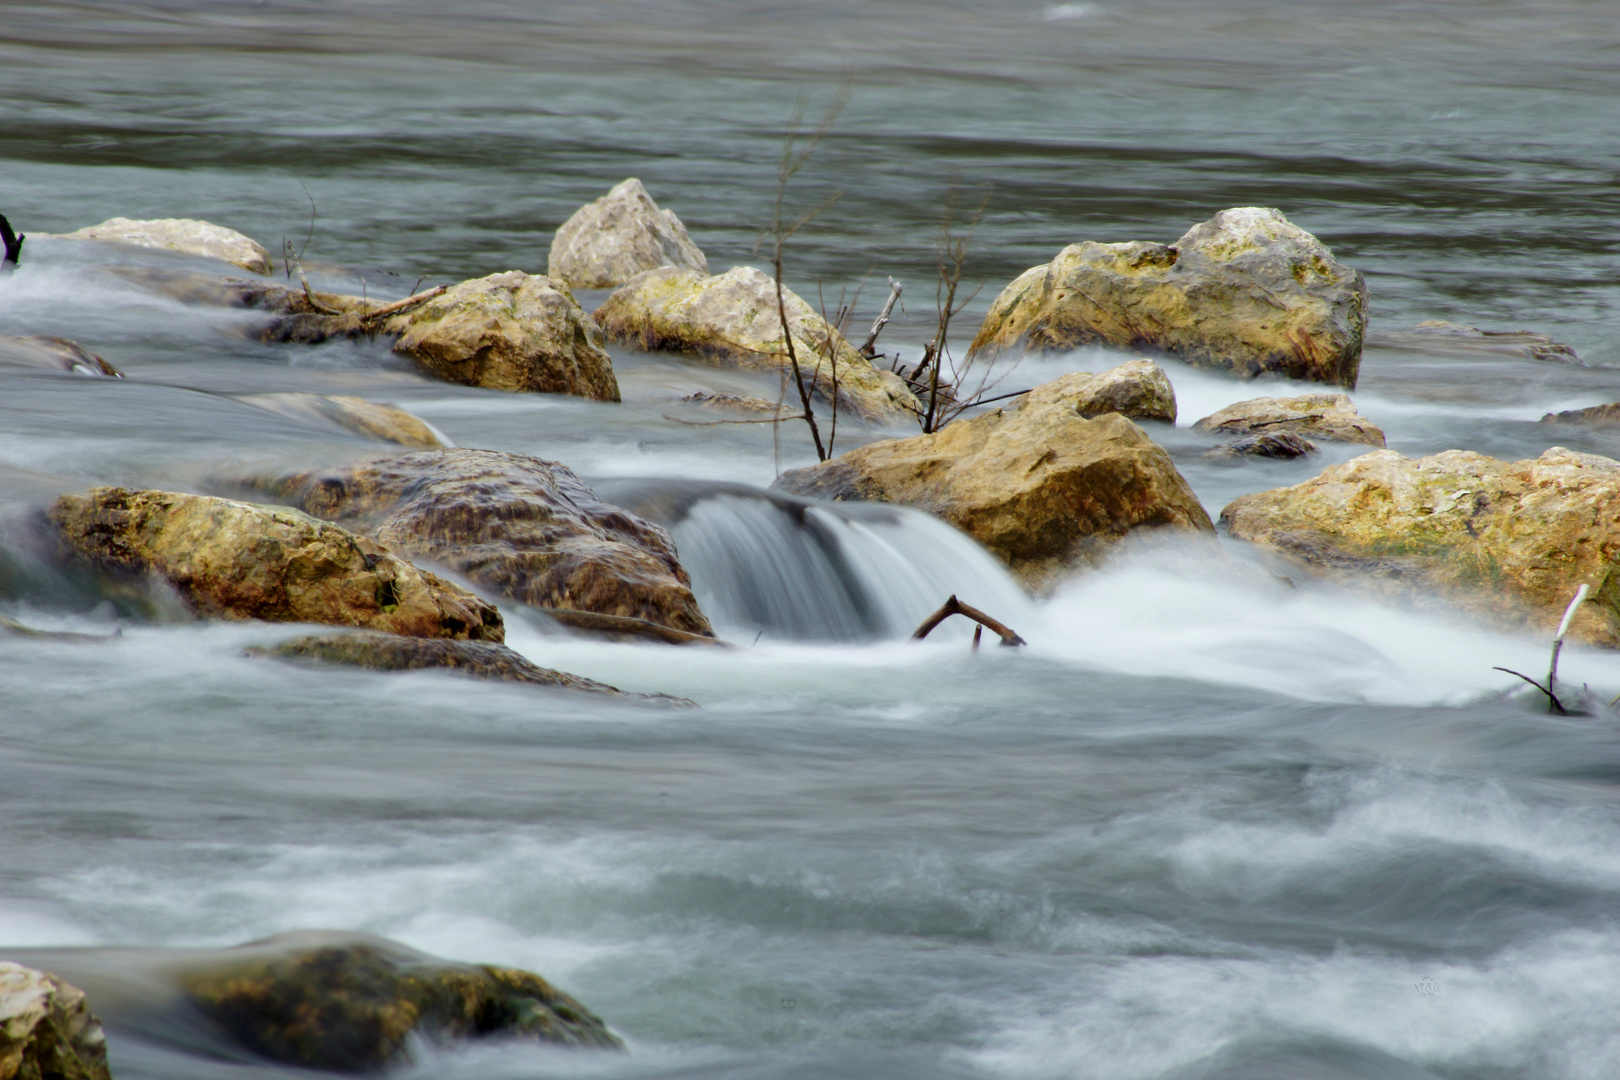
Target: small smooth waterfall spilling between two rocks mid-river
x,y
787,568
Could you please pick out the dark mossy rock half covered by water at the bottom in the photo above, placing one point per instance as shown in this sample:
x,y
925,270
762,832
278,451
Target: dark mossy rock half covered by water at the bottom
x,y
354,1005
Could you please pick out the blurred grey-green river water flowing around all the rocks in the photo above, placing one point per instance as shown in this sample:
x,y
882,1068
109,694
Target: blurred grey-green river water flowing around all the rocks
x,y
1204,827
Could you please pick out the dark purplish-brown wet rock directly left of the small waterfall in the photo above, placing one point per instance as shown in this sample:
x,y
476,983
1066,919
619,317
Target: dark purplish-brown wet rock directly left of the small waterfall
x,y
521,527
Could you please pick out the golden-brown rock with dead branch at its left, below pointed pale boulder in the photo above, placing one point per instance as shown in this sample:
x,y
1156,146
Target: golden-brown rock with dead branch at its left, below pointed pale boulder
x,y
509,333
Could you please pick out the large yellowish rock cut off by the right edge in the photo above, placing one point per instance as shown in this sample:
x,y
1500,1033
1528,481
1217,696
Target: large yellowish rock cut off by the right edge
x,y
1507,542
